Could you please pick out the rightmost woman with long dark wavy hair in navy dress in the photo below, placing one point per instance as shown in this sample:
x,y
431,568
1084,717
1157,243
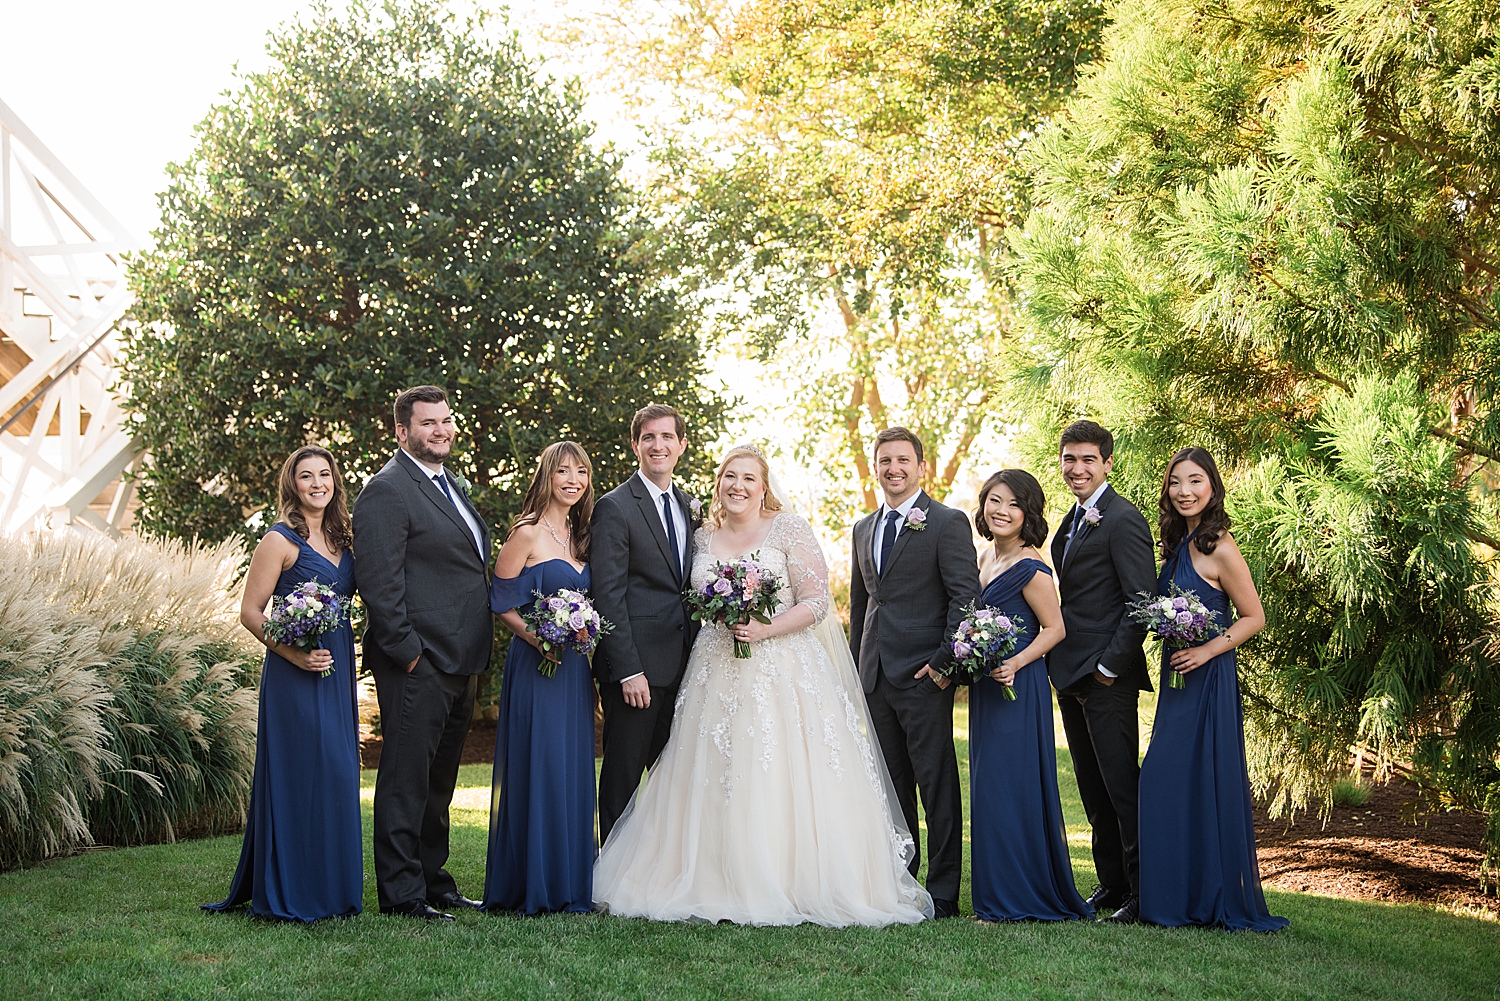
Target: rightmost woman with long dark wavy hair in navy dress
x,y
1198,837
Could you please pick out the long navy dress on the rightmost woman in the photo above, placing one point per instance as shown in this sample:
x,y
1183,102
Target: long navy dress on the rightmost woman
x,y
1198,835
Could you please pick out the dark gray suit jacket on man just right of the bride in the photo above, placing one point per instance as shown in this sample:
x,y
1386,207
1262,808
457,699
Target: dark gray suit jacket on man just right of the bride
x,y
902,619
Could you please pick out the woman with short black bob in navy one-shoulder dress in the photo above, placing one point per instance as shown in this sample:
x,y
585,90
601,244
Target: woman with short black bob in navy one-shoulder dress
x,y
1022,870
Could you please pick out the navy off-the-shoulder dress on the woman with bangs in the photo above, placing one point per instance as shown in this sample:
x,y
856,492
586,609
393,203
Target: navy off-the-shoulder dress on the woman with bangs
x,y
542,819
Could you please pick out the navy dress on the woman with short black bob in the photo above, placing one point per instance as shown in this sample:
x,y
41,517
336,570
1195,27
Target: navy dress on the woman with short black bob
x,y
1022,870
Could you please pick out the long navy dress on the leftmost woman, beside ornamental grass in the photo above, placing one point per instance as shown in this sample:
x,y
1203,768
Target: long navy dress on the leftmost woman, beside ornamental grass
x,y
304,856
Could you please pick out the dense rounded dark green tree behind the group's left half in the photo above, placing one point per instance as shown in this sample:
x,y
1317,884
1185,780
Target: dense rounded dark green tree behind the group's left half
x,y
398,200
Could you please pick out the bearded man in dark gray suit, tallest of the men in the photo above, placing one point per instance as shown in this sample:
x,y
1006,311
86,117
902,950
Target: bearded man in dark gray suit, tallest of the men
x,y
424,573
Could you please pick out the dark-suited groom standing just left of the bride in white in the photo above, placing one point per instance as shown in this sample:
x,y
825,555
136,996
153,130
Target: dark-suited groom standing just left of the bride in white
x,y
641,553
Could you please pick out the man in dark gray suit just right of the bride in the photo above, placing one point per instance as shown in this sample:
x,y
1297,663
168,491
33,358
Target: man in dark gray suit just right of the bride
x,y
914,571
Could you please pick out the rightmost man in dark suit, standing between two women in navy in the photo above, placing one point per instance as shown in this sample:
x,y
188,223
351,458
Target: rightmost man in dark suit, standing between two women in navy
x,y
1103,558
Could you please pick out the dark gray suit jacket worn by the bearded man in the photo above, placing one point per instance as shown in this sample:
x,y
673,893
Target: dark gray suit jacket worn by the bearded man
x,y
424,582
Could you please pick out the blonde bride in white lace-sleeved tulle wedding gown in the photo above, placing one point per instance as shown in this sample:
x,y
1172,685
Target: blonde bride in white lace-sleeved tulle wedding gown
x,y
770,804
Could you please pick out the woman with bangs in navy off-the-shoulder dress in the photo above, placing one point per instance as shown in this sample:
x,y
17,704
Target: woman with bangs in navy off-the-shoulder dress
x,y
542,823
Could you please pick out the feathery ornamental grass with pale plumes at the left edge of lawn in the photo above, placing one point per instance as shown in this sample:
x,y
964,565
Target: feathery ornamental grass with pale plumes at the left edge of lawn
x,y
127,694
